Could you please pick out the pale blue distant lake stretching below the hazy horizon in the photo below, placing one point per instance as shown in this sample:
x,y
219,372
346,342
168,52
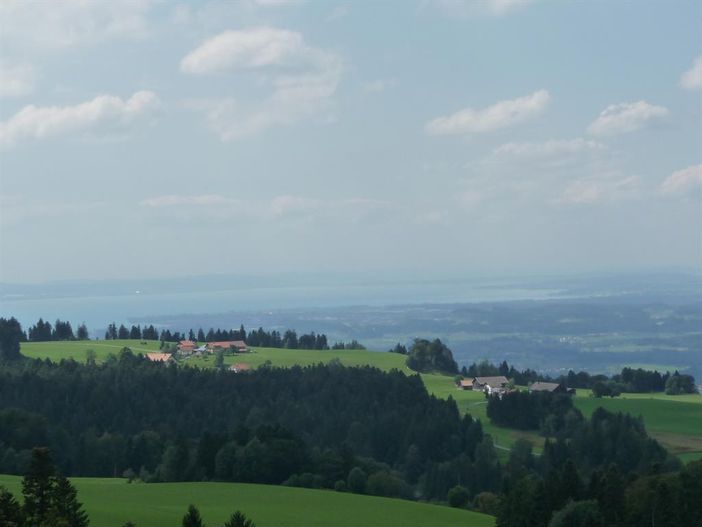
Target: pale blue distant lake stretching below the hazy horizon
x,y
99,310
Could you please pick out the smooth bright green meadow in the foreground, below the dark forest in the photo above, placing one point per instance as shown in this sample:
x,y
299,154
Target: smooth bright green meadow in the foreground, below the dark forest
x,y
112,502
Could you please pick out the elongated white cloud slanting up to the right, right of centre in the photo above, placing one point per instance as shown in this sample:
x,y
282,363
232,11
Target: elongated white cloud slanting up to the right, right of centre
x,y
500,115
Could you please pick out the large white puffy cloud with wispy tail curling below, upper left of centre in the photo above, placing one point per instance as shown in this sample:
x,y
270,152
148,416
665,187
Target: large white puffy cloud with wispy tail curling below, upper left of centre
x,y
301,79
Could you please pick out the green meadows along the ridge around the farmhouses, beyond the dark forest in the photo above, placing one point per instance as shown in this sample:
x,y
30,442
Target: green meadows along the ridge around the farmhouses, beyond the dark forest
x,y
675,421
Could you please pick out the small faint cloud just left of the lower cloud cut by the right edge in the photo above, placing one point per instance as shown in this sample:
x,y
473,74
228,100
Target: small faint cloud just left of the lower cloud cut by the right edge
x,y
605,188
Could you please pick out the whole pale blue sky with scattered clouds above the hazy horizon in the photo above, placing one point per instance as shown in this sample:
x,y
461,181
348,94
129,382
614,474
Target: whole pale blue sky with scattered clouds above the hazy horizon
x,y
151,138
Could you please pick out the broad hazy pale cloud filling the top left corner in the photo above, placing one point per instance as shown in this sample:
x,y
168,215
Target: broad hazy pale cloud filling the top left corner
x,y
70,23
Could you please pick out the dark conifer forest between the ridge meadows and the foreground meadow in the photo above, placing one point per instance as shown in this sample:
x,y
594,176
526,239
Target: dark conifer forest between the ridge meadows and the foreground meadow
x,y
181,423
